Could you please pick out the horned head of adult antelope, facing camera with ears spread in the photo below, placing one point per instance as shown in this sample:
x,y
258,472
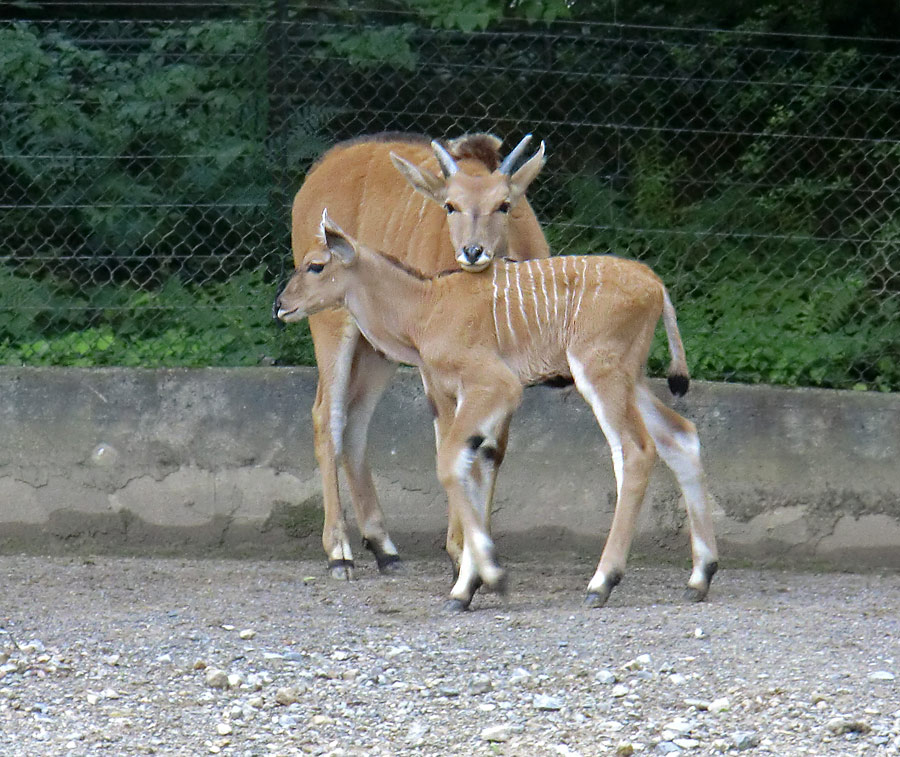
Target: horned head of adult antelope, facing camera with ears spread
x,y
477,207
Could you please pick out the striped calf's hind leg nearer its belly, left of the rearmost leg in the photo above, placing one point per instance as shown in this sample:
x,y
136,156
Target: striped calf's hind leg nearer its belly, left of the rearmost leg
x,y
611,397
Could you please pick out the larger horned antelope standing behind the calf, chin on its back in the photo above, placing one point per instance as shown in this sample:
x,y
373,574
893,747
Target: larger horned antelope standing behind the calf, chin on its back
x,y
486,215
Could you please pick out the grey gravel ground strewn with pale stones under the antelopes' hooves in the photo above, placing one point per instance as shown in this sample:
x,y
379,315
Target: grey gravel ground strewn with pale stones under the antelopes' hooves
x,y
126,656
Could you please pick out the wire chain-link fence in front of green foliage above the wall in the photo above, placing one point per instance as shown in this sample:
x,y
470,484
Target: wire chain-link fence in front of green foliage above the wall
x,y
147,168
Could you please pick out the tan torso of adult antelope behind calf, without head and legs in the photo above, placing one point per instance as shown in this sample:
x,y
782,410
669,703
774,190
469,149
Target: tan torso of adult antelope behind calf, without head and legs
x,y
359,185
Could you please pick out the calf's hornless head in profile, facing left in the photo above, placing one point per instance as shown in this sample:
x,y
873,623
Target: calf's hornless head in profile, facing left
x,y
321,279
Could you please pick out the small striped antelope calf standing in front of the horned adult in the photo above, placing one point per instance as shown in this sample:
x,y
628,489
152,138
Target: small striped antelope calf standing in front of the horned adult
x,y
479,338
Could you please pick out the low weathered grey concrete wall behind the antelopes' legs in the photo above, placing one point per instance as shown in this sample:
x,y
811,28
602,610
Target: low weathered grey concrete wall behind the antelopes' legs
x,y
221,459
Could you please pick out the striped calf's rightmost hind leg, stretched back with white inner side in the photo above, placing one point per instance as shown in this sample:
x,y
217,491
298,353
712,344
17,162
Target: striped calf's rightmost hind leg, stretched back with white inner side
x,y
678,445
